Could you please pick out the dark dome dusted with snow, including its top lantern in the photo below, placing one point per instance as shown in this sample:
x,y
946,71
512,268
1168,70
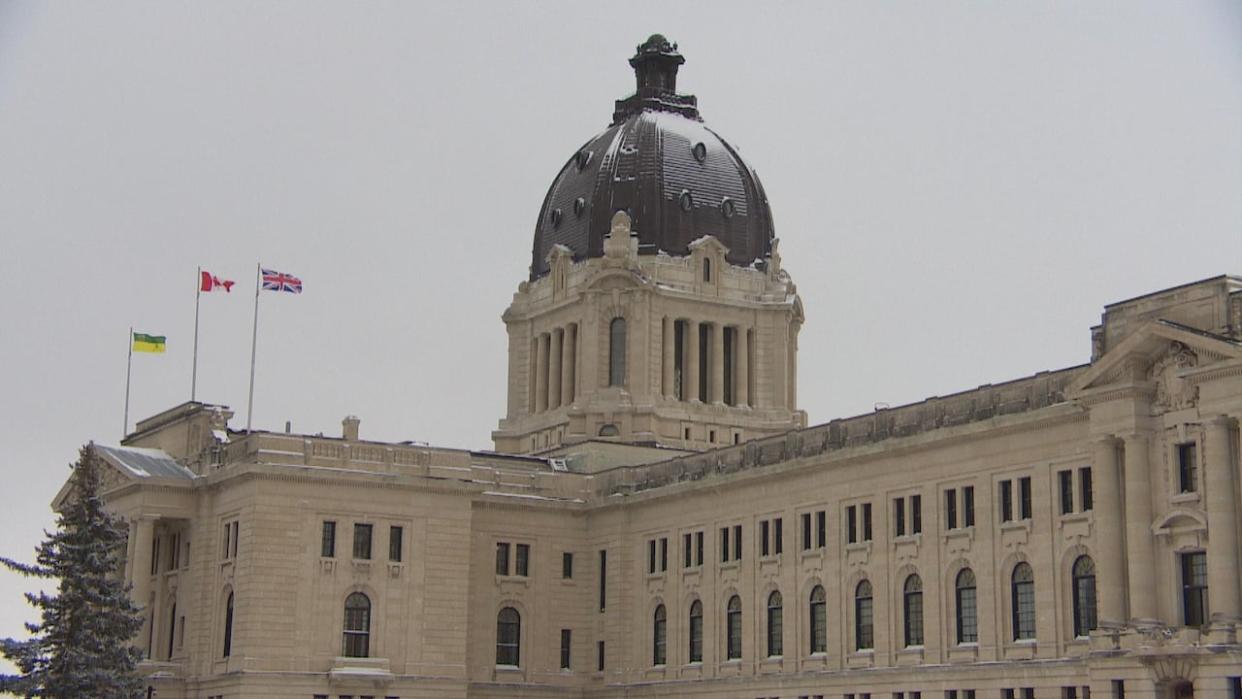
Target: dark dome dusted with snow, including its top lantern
x,y
676,178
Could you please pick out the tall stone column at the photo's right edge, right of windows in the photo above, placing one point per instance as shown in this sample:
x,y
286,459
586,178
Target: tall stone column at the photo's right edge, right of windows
x,y
1223,543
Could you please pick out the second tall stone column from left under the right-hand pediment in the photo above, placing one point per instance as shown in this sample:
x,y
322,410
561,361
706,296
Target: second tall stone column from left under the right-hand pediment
x,y
1141,551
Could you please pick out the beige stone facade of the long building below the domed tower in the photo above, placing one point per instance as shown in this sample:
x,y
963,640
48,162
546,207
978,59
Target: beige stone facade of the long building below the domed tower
x,y
1130,462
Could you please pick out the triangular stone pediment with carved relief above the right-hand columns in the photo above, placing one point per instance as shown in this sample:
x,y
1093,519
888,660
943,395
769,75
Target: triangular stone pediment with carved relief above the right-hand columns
x,y
1157,356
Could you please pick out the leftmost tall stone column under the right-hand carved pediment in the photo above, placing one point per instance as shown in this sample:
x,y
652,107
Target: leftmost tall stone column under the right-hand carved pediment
x,y
1111,567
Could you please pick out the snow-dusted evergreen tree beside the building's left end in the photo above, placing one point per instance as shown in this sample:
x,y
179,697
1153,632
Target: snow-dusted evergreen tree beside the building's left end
x,y
84,646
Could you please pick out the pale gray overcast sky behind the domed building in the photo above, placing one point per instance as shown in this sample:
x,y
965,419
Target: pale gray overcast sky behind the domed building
x,y
958,187
